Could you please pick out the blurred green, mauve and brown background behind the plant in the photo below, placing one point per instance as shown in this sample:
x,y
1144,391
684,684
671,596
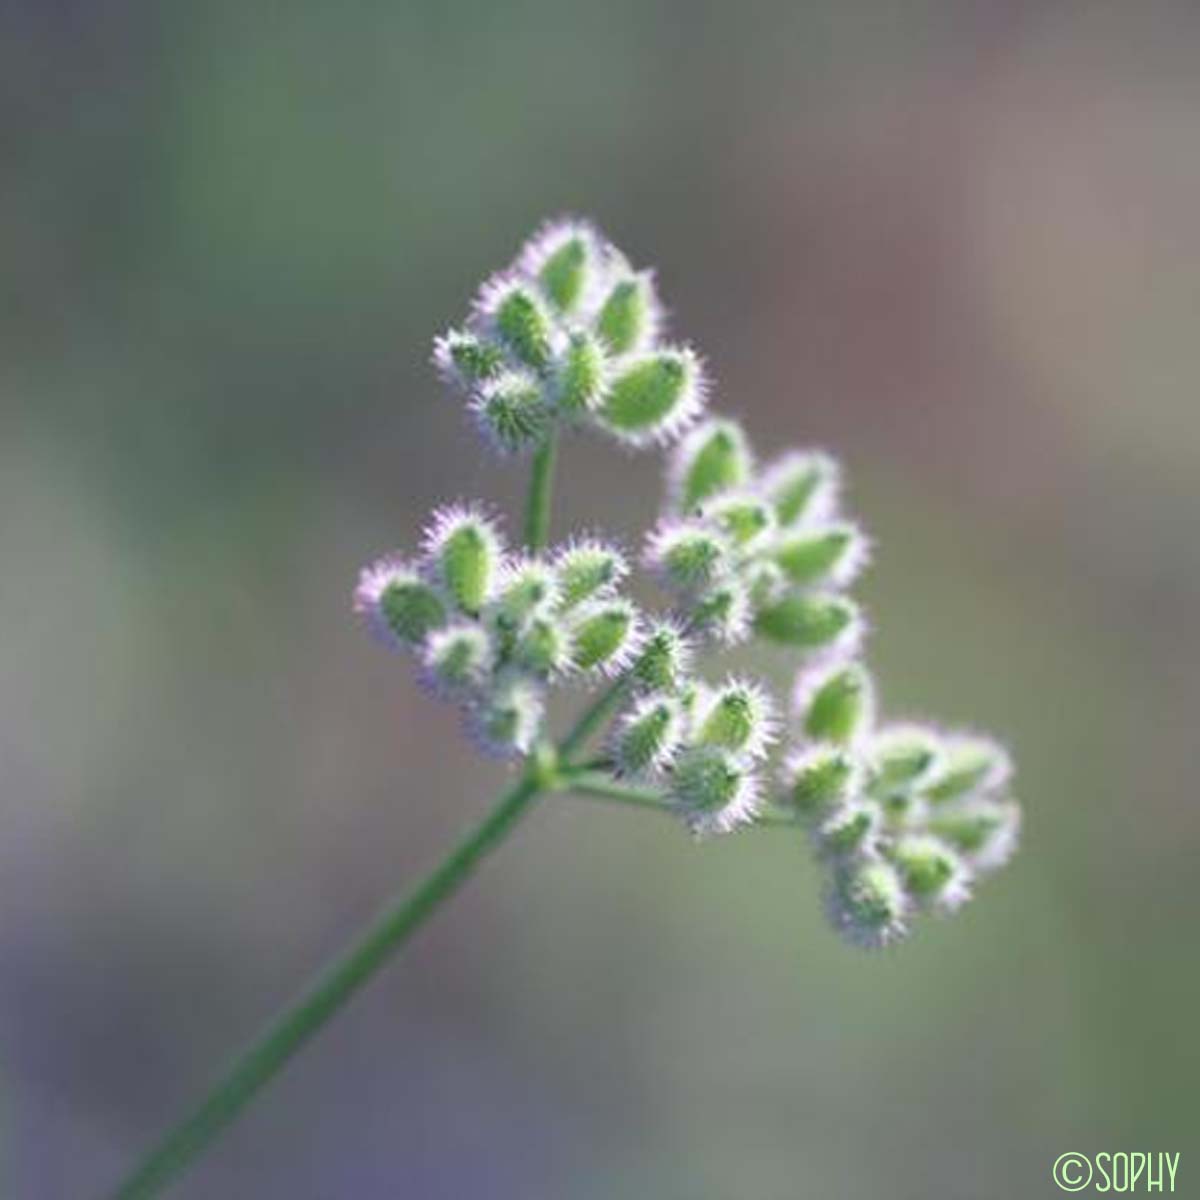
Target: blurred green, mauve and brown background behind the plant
x,y
956,243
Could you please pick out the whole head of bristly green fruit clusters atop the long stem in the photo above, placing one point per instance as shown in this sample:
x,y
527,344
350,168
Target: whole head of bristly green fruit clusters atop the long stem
x,y
904,818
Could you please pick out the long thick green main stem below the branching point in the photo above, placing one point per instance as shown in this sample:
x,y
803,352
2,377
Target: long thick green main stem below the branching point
x,y
296,1025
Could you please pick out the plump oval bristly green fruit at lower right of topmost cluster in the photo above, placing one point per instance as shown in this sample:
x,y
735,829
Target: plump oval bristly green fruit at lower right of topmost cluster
x,y
653,398
